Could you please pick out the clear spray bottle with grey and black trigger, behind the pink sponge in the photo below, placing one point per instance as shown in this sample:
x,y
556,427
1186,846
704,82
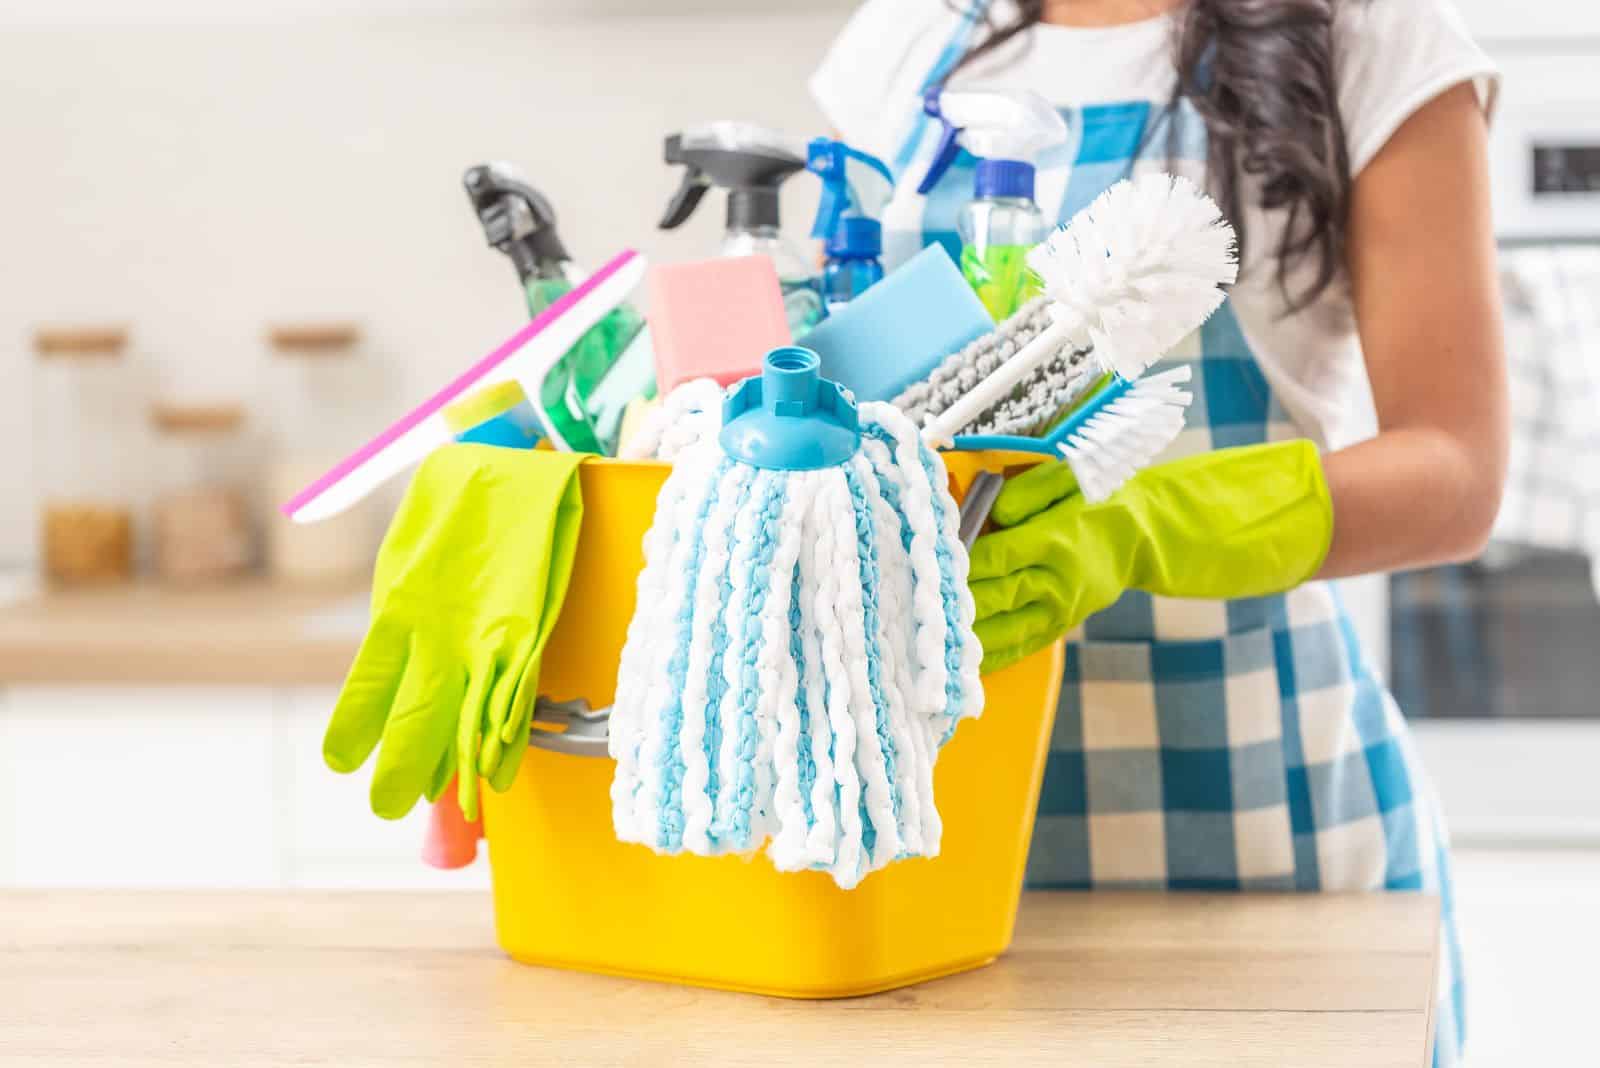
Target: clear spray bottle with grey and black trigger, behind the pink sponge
x,y
751,164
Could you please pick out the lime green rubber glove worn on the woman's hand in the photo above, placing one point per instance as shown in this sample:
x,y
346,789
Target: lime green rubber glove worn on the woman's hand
x,y
1222,525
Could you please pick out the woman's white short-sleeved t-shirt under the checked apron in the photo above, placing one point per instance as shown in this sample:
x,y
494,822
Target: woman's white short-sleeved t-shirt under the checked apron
x,y
1391,58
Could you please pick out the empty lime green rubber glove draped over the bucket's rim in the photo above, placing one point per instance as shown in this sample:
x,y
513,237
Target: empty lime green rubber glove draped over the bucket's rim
x,y
468,588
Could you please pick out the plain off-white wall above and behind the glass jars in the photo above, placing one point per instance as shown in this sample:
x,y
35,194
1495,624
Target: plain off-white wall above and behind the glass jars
x,y
204,180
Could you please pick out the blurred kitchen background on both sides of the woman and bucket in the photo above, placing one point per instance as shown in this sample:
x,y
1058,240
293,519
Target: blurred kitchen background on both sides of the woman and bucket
x,y
242,229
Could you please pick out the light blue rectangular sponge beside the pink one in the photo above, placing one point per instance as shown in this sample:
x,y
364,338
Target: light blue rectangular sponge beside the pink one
x,y
900,330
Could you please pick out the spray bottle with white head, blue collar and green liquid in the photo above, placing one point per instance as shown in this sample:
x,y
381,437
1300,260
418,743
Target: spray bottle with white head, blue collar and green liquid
x,y
1006,130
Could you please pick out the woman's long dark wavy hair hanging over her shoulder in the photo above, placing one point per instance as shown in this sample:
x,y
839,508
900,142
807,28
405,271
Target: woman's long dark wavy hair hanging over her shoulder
x,y
1262,76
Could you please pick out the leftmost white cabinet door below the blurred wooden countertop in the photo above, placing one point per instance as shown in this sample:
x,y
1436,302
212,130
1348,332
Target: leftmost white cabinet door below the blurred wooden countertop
x,y
138,787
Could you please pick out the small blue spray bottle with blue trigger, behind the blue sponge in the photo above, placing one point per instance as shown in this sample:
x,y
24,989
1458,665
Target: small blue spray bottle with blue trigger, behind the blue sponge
x,y
855,189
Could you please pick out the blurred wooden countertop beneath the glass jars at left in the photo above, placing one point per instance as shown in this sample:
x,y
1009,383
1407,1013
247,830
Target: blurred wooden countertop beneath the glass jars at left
x,y
247,634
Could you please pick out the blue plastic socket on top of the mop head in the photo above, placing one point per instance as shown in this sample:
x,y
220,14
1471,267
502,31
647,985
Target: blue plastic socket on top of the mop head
x,y
791,418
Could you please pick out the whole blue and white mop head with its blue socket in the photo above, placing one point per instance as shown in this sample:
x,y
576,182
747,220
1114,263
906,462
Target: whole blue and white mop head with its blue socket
x,y
802,642
